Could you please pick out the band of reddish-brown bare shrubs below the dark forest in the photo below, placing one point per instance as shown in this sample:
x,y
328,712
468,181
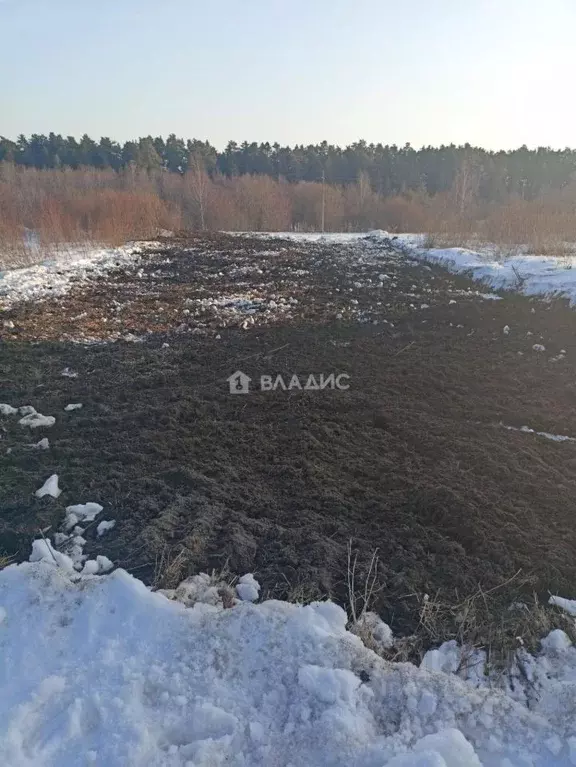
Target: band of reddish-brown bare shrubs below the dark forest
x,y
109,207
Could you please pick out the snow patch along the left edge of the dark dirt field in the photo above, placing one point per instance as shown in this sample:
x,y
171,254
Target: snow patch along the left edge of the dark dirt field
x,y
68,267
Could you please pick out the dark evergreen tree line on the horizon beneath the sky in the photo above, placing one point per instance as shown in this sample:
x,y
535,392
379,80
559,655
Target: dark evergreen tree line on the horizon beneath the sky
x,y
388,170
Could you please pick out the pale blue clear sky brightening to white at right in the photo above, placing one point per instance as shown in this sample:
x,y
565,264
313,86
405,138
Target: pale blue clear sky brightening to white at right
x,y
497,73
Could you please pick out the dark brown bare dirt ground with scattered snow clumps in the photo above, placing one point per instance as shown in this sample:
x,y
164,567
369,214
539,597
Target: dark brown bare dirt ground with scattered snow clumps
x,y
412,461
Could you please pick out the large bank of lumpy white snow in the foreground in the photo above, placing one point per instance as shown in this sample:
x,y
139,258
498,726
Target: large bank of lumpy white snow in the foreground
x,y
97,669
